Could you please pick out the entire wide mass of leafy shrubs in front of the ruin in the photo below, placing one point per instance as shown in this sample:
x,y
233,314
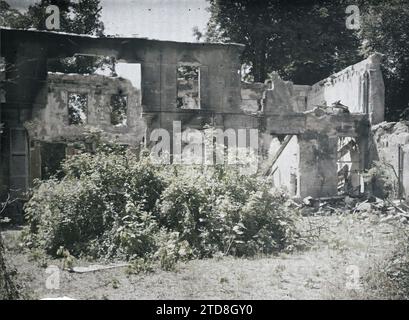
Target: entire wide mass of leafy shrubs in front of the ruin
x,y
113,204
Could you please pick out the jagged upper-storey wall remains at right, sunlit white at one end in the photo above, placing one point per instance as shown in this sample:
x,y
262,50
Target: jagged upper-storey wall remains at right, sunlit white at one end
x,y
360,87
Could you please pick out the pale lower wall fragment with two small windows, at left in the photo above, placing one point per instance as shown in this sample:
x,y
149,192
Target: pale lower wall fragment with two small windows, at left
x,y
50,123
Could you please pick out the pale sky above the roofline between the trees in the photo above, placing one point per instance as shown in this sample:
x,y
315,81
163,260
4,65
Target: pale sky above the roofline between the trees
x,y
155,19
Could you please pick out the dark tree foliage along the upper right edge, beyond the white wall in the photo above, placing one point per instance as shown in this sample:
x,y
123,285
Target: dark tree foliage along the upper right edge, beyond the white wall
x,y
385,29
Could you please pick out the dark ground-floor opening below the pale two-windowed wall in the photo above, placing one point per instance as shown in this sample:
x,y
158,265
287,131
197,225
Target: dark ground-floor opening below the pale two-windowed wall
x,y
52,154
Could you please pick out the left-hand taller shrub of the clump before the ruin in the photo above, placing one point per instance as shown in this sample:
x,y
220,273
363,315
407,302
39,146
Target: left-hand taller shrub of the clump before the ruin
x,y
102,207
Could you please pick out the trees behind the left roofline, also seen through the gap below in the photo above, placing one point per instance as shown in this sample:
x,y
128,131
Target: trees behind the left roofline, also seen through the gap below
x,y
79,17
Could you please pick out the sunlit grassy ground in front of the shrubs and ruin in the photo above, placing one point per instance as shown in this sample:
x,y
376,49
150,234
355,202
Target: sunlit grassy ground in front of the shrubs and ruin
x,y
346,243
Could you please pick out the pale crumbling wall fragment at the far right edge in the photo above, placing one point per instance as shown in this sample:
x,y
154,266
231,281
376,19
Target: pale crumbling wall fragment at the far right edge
x,y
388,138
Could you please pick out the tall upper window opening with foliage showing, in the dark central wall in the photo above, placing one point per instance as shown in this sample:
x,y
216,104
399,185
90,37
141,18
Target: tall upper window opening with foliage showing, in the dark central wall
x,y
188,87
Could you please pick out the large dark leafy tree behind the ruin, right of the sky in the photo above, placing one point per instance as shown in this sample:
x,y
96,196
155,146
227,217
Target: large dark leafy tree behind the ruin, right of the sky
x,y
302,42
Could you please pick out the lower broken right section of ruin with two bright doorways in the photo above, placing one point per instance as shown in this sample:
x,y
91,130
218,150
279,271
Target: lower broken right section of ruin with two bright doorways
x,y
288,109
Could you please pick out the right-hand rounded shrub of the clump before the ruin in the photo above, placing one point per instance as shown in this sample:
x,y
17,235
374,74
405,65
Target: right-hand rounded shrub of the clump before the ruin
x,y
223,211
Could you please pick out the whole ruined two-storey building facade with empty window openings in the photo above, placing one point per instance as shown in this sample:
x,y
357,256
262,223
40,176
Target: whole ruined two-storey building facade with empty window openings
x,y
310,143
